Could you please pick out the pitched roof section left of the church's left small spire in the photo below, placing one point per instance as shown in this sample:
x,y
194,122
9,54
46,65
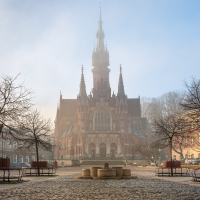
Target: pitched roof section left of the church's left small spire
x,y
68,107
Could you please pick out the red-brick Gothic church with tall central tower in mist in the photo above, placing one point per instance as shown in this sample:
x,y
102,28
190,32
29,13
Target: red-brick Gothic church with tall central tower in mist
x,y
100,124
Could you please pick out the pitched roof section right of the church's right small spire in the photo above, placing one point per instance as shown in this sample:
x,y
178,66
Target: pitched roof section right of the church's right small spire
x,y
134,107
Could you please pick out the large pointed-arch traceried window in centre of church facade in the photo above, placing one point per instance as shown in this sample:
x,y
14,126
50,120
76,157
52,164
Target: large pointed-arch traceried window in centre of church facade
x,y
102,120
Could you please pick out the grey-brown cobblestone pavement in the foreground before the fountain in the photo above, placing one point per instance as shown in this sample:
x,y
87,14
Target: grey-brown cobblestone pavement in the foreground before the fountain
x,y
67,187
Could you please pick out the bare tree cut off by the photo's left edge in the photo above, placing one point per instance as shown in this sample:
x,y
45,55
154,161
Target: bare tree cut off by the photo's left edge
x,y
15,100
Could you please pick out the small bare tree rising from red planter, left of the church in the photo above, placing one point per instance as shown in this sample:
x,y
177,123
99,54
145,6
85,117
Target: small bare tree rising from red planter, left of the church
x,y
34,132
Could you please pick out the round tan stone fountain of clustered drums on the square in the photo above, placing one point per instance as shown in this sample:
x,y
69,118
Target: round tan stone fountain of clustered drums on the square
x,y
106,173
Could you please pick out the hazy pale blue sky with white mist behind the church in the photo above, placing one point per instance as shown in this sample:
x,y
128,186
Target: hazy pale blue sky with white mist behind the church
x,y
156,41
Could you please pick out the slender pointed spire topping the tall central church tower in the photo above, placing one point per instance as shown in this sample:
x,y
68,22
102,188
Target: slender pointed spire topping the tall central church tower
x,y
100,36
